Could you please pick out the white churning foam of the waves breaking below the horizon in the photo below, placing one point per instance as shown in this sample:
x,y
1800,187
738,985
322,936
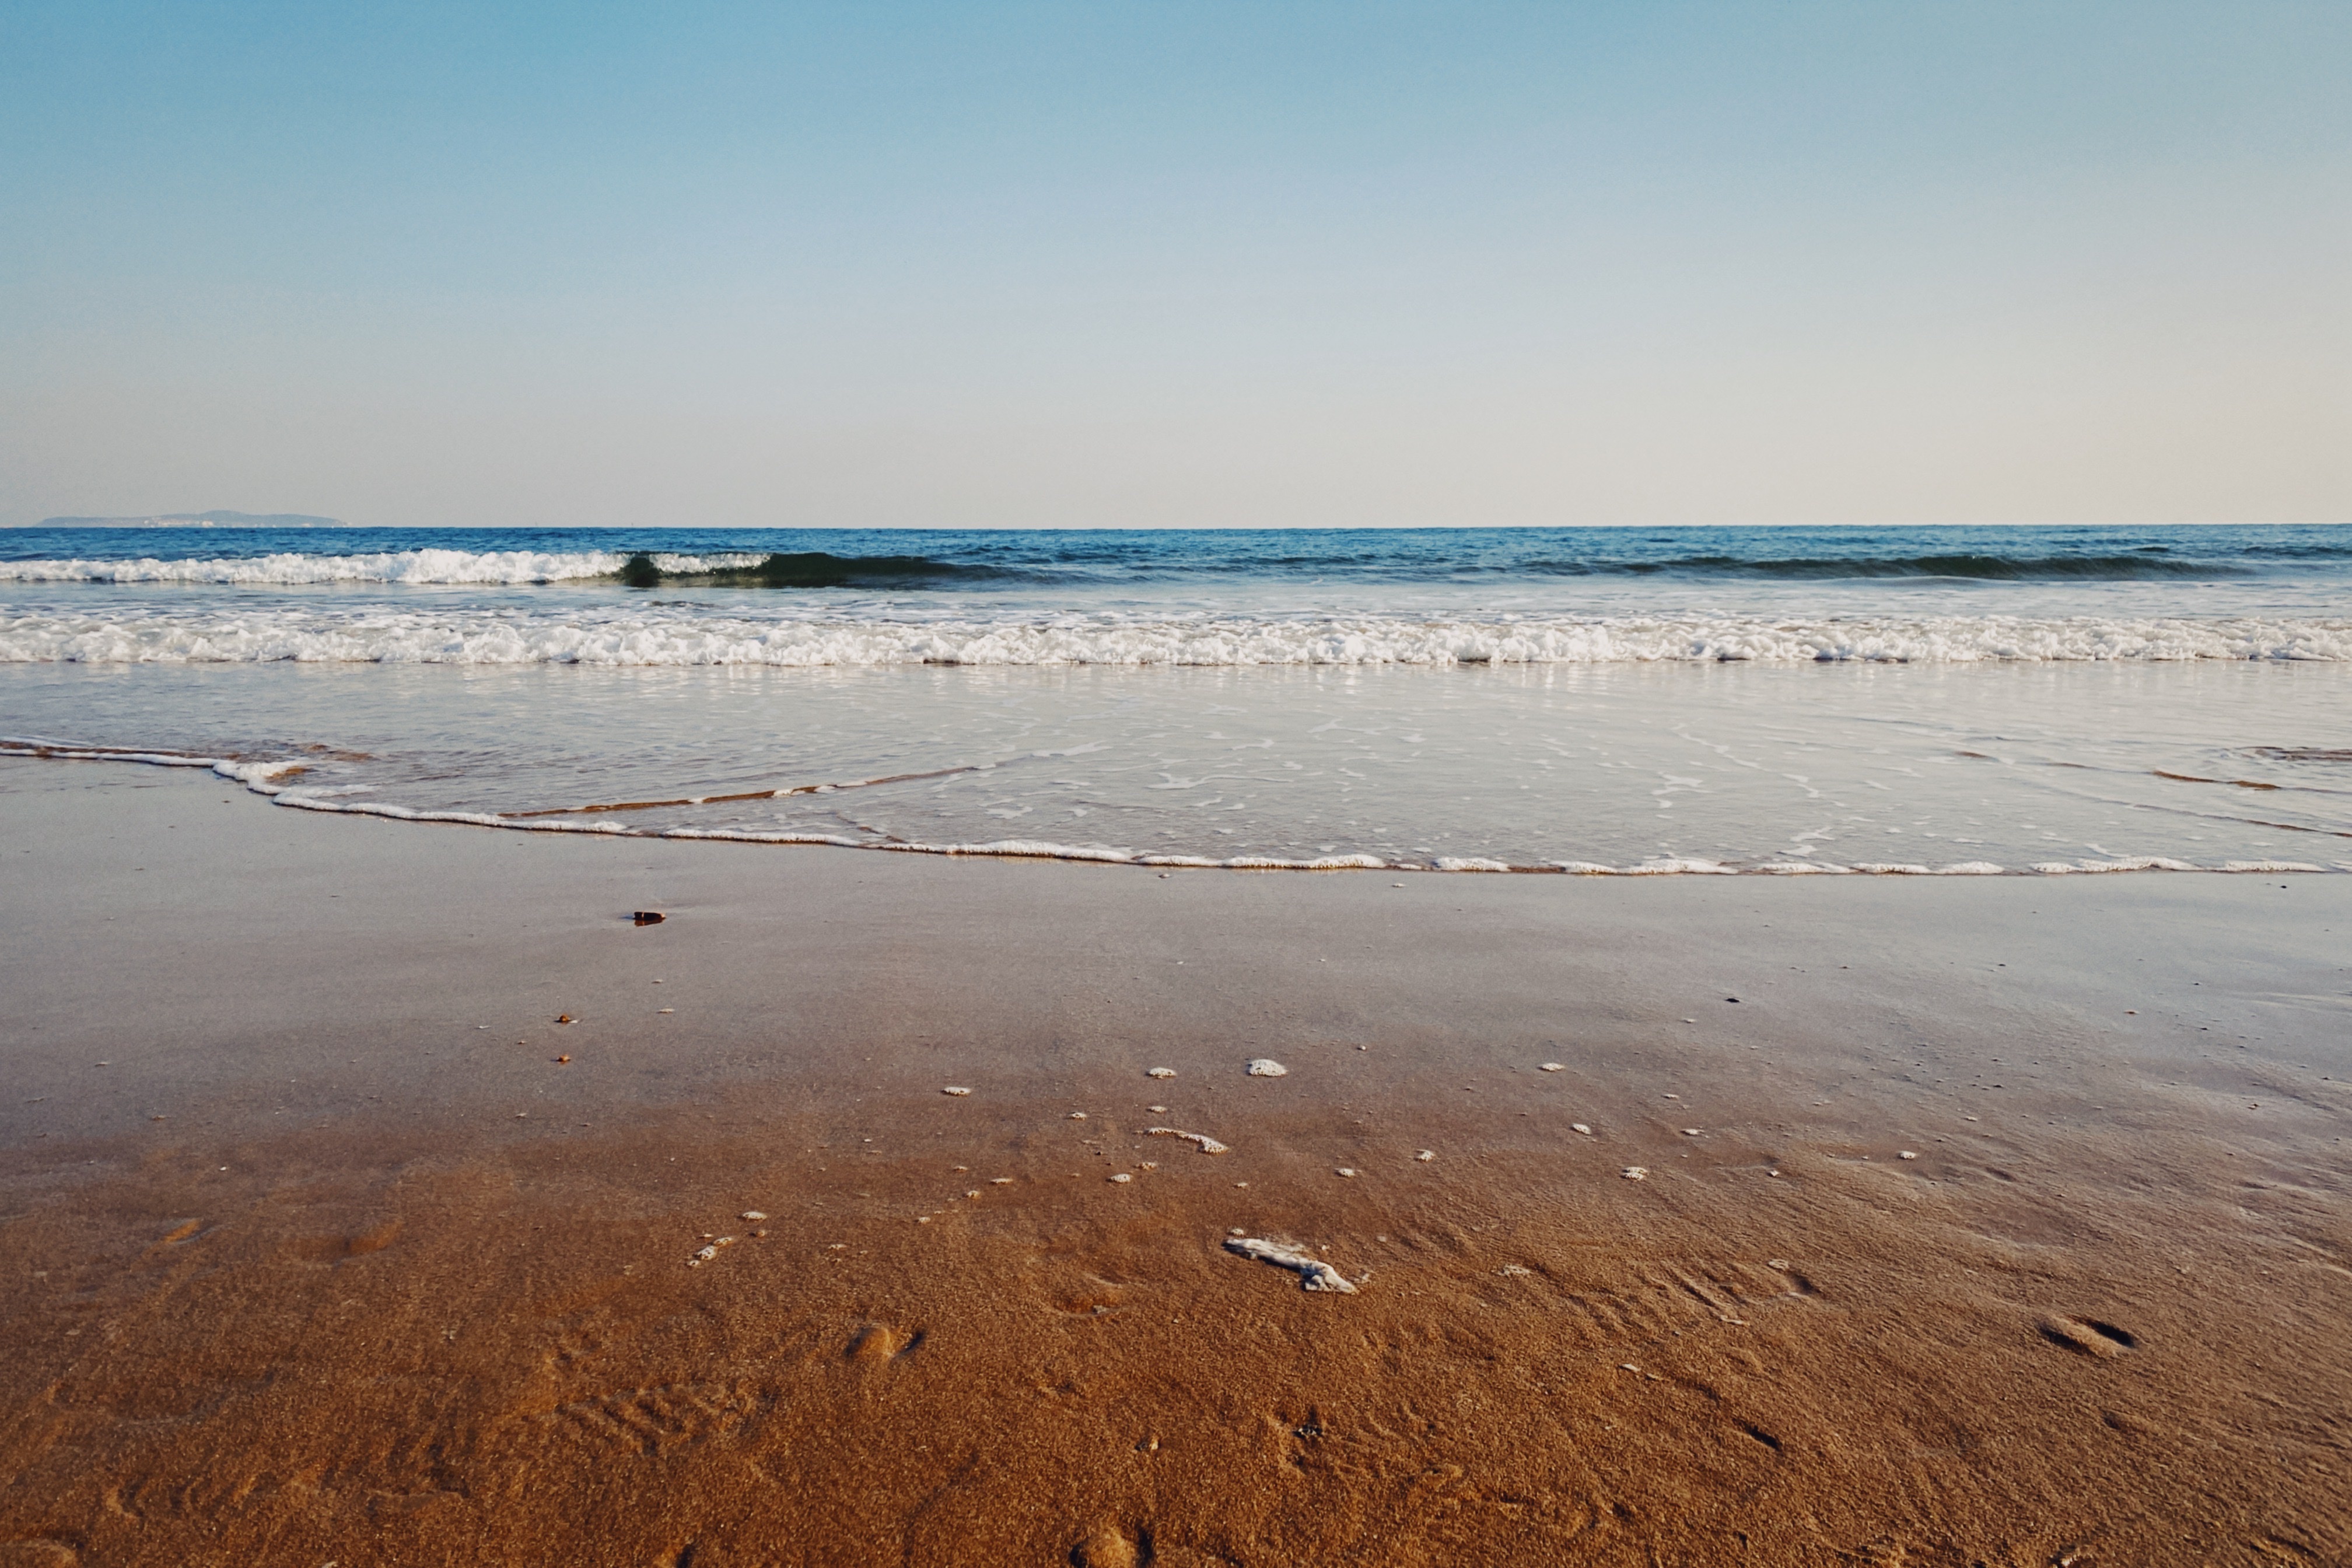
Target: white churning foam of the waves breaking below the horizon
x,y
808,631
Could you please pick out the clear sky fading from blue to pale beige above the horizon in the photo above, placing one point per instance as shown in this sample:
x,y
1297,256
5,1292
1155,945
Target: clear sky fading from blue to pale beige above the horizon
x,y
1269,264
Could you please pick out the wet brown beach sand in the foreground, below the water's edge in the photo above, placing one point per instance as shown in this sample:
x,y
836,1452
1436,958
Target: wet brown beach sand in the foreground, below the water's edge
x,y
333,1257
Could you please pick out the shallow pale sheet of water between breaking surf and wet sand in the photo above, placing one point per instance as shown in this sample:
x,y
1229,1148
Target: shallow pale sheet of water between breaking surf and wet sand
x,y
1579,768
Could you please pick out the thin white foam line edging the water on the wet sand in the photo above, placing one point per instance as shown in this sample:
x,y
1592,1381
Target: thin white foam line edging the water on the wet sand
x,y
262,779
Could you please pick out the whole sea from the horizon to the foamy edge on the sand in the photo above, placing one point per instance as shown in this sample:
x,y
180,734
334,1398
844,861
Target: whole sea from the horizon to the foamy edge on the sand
x,y
1608,702
